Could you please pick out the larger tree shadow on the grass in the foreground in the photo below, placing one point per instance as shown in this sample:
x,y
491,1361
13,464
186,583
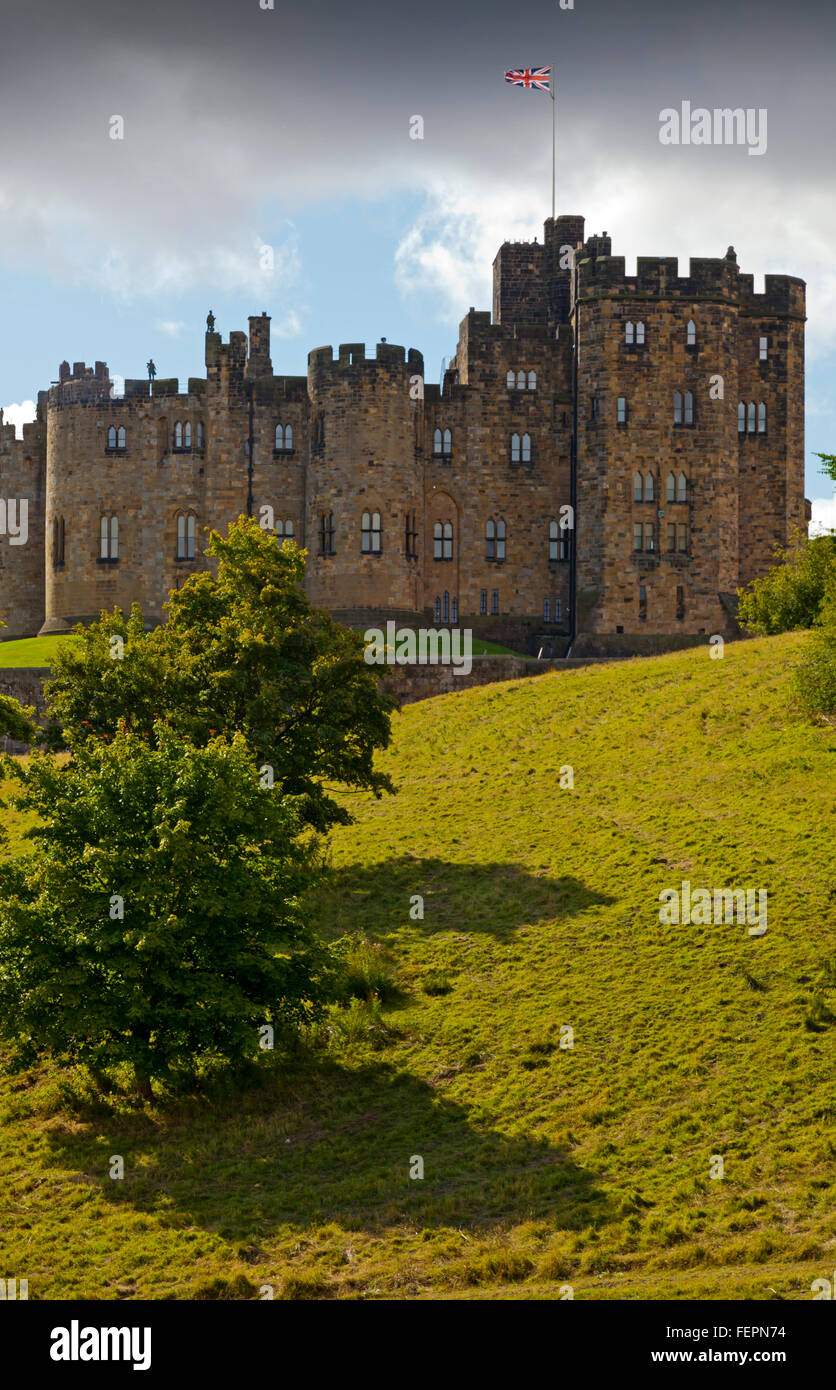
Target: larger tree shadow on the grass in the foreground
x,y
329,1145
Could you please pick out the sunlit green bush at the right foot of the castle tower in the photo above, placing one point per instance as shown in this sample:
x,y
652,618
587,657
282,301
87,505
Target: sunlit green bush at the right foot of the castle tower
x,y
792,594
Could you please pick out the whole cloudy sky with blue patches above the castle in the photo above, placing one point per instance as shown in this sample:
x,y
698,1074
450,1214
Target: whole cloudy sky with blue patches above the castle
x,y
266,163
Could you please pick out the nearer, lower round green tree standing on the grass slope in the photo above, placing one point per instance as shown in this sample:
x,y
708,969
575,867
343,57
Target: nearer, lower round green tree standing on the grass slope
x,y
158,919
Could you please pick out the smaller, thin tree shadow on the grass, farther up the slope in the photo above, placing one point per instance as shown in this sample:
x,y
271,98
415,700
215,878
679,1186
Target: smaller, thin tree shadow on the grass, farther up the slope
x,y
458,897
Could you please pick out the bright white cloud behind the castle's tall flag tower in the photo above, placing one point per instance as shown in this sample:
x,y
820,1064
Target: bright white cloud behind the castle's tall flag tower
x,y
449,251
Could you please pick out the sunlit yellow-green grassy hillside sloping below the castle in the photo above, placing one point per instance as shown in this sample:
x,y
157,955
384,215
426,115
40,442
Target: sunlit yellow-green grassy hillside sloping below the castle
x,y
543,1167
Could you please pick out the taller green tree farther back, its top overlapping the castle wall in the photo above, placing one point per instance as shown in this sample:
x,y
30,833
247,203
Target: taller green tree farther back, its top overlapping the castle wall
x,y
244,650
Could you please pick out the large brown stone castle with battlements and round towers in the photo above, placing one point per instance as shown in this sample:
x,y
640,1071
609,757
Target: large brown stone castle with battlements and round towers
x,y
607,459
